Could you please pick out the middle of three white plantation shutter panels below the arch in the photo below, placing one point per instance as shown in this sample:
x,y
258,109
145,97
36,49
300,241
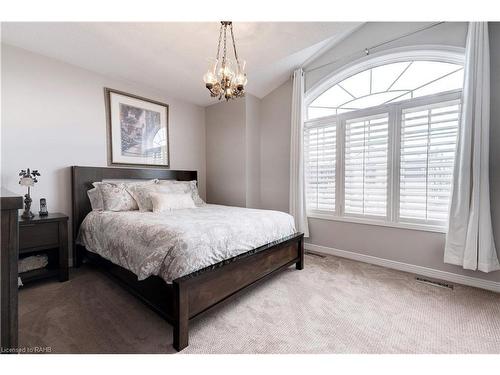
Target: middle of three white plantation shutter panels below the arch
x,y
366,163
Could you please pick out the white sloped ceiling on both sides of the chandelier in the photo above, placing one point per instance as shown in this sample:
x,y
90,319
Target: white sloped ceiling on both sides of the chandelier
x,y
172,56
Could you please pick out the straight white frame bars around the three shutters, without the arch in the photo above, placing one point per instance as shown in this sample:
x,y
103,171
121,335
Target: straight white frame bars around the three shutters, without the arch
x,y
394,112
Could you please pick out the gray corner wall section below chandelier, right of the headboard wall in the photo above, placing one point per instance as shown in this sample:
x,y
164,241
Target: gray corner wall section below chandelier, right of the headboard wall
x,y
233,152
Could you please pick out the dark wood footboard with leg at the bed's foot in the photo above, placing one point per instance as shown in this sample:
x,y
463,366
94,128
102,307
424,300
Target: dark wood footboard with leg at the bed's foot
x,y
201,290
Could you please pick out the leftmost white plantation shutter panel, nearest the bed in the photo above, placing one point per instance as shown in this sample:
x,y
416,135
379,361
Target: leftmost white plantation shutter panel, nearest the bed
x,y
320,158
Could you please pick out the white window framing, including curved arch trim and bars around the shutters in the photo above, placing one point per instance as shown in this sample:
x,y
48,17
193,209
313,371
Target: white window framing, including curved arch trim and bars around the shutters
x,y
430,52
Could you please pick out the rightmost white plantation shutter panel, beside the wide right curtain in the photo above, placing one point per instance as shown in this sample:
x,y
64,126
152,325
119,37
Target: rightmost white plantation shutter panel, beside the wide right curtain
x,y
428,142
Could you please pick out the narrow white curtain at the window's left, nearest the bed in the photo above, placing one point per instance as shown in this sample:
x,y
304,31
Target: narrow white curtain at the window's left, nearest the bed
x,y
297,181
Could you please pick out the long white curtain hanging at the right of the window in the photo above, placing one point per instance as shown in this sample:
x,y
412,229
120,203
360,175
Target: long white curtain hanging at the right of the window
x,y
469,241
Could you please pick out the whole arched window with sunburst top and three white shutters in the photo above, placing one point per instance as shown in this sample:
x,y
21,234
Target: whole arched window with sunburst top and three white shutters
x,y
380,139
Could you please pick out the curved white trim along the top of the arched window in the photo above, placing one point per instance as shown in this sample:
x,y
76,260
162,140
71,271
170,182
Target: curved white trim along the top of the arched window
x,y
455,55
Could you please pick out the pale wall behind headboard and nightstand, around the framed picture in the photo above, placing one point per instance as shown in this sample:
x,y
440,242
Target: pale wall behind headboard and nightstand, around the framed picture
x,y
53,117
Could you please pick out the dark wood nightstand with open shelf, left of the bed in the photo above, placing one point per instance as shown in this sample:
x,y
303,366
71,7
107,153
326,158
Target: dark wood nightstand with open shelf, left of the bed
x,y
45,235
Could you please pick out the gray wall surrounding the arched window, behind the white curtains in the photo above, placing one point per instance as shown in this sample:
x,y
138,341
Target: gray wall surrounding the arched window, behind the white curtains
x,y
409,246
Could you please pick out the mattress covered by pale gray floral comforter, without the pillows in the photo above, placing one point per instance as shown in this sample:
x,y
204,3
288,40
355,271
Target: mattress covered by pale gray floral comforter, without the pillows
x,y
177,243
